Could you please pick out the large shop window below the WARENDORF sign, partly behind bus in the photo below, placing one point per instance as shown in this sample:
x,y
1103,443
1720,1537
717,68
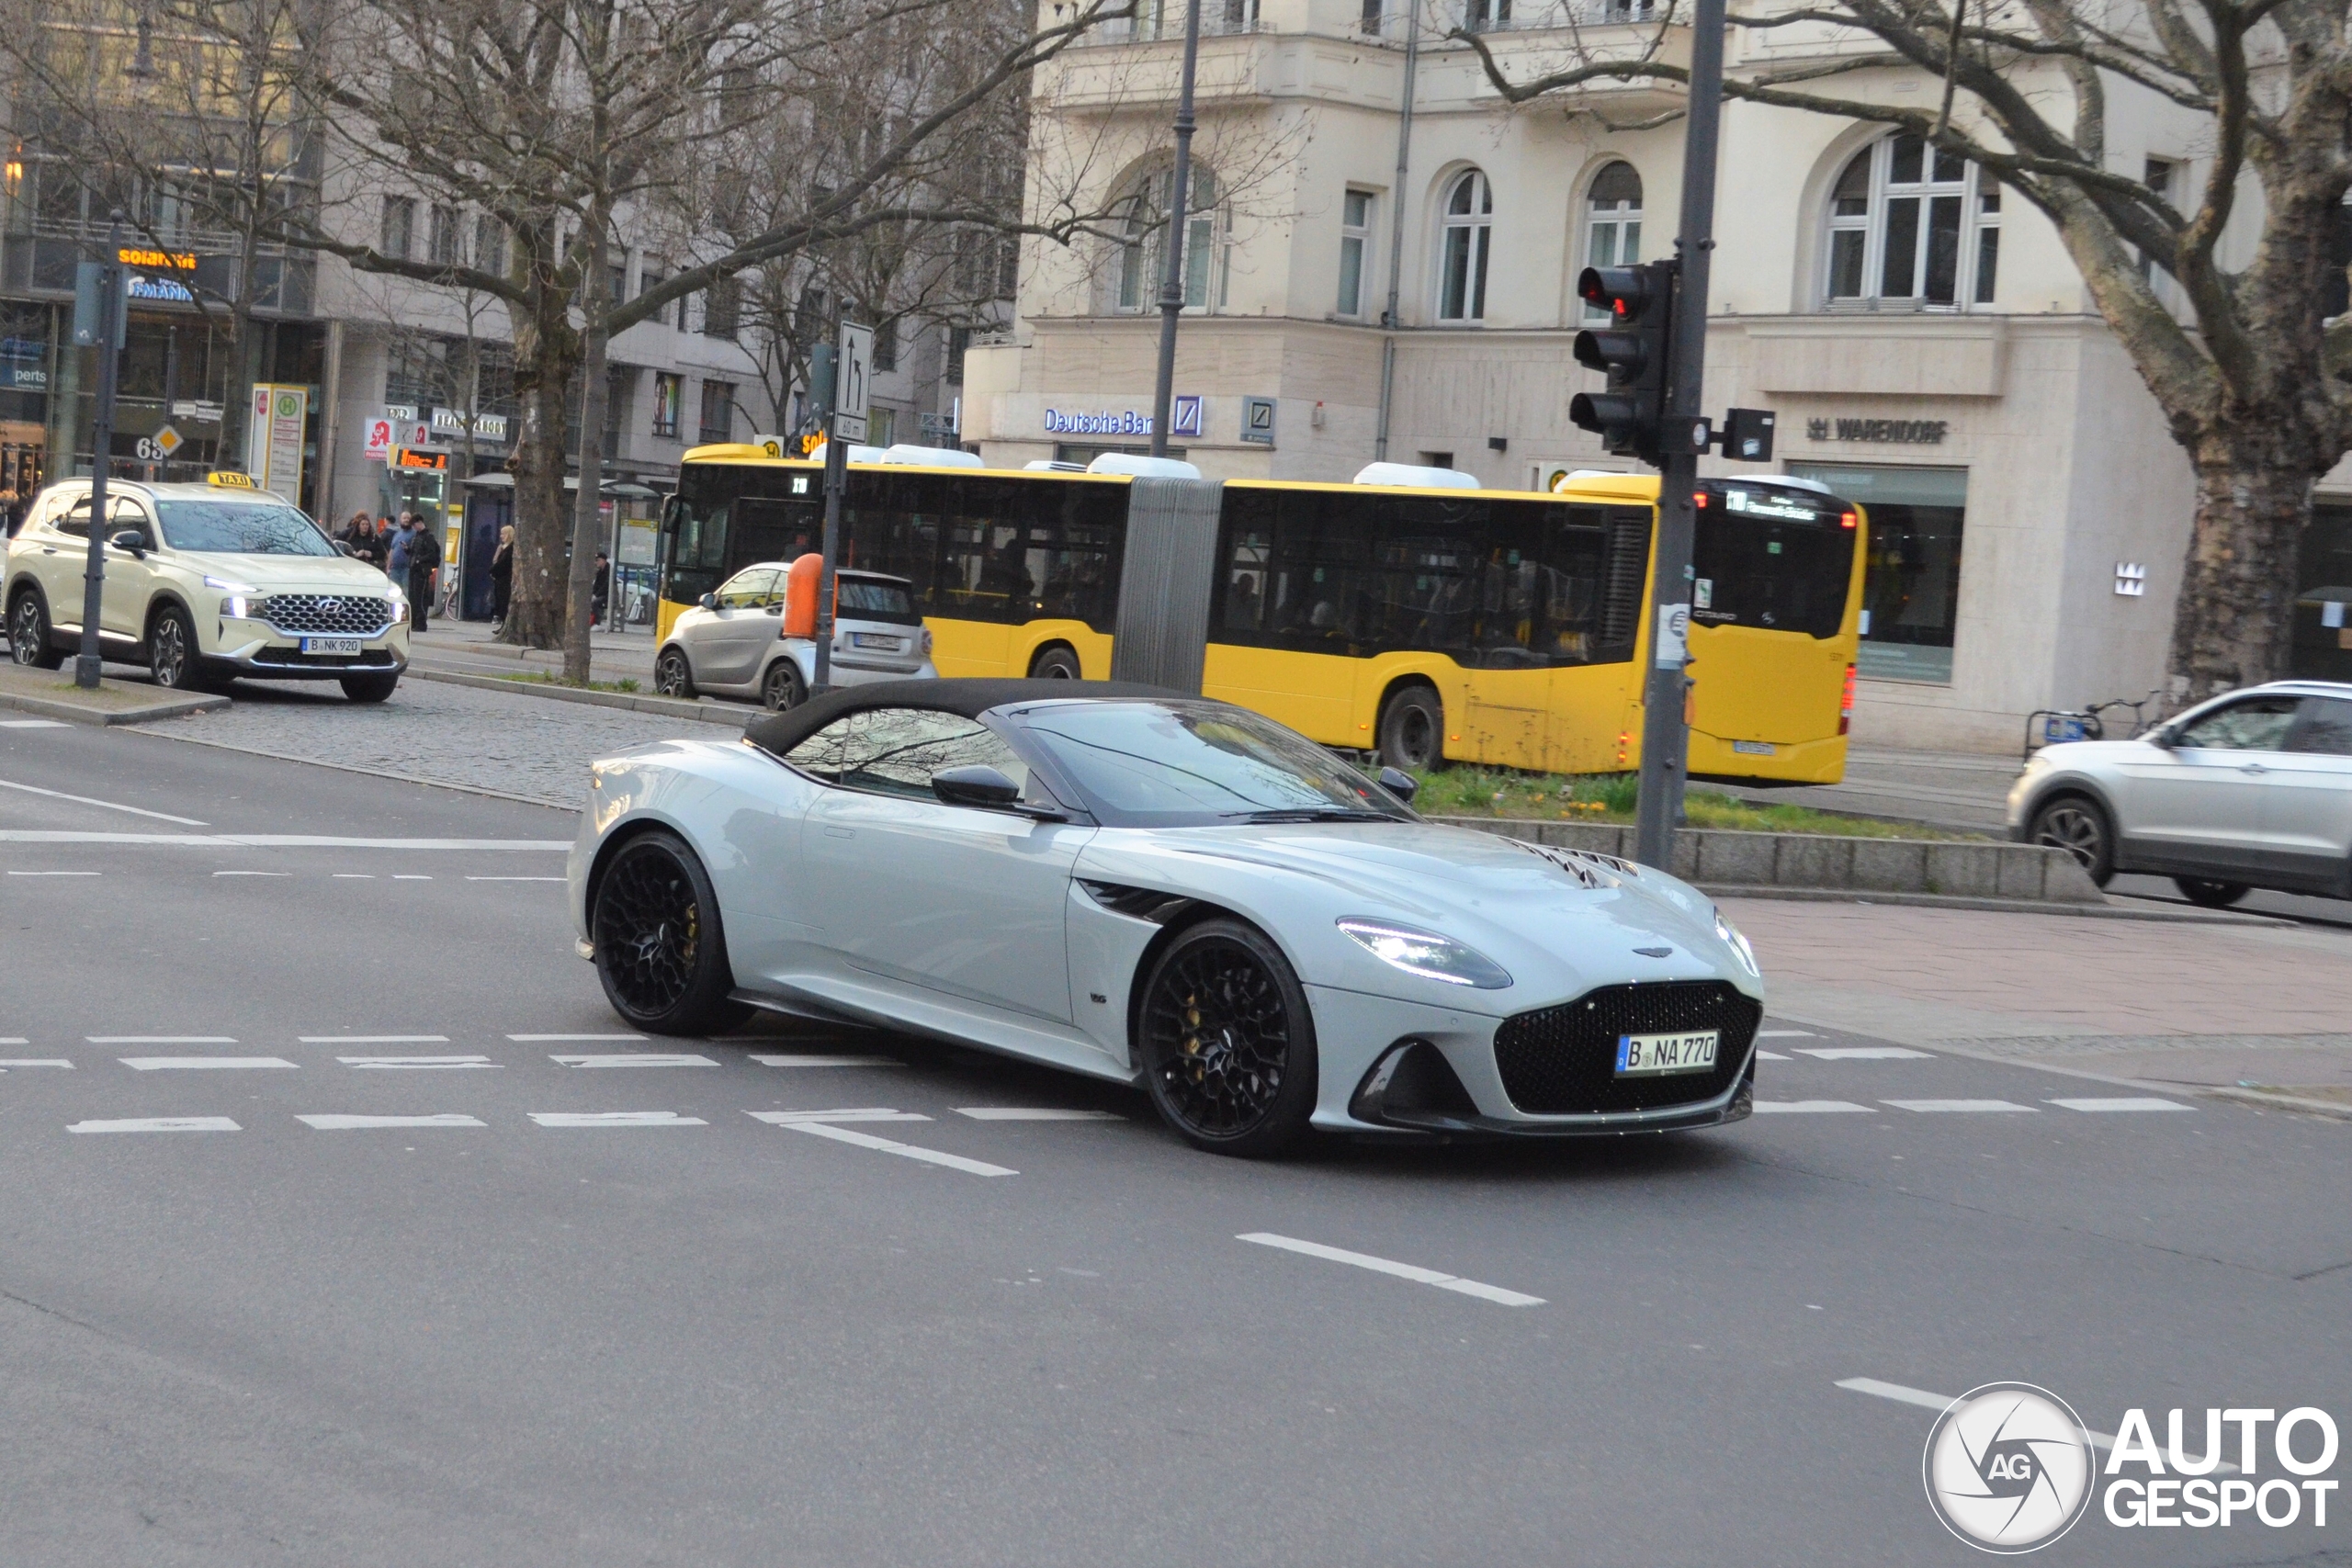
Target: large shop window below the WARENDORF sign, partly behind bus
x,y
1911,591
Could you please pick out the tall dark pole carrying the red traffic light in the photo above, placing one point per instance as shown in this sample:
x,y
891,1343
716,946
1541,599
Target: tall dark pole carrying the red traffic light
x,y
1664,735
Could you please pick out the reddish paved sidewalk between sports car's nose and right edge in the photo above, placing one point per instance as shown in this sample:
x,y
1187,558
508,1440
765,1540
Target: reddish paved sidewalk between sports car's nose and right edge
x,y
2141,1000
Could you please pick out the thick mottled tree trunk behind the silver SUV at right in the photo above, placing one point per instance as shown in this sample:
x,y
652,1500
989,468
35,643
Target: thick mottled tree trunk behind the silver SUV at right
x,y
2238,587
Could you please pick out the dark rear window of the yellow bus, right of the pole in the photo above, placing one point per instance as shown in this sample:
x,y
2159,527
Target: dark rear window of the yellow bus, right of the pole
x,y
1772,558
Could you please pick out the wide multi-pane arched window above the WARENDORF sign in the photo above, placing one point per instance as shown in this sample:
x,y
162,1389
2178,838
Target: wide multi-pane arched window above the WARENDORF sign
x,y
1913,227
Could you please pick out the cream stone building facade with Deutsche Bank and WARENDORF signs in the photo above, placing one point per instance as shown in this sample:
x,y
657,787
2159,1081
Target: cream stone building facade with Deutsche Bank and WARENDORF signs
x,y
1925,342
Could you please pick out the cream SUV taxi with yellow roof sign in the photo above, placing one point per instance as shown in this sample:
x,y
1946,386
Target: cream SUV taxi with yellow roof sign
x,y
203,584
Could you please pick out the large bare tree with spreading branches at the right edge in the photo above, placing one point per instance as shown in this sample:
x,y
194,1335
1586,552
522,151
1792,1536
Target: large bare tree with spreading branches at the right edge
x,y
2252,377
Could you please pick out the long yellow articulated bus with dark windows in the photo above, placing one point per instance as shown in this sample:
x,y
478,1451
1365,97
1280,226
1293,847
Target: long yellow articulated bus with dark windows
x,y
1504,629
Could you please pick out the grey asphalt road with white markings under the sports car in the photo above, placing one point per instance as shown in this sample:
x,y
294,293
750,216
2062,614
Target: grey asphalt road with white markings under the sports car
x,y
606,1315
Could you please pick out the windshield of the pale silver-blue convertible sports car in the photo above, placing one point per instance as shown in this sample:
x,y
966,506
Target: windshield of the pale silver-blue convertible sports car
x,y
1172,765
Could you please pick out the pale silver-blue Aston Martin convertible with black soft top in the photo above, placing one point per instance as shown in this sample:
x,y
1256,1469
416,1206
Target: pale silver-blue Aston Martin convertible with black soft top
x,y
1165,892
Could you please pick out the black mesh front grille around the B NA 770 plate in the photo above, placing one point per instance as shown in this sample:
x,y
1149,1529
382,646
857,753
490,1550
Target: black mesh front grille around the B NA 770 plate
x,y
1561,1061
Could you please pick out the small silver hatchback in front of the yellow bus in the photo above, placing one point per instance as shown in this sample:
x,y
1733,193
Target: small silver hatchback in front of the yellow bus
x,y
733,643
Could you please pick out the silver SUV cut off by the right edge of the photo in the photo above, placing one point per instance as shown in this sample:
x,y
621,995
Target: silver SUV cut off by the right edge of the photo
x,y
2247,791
